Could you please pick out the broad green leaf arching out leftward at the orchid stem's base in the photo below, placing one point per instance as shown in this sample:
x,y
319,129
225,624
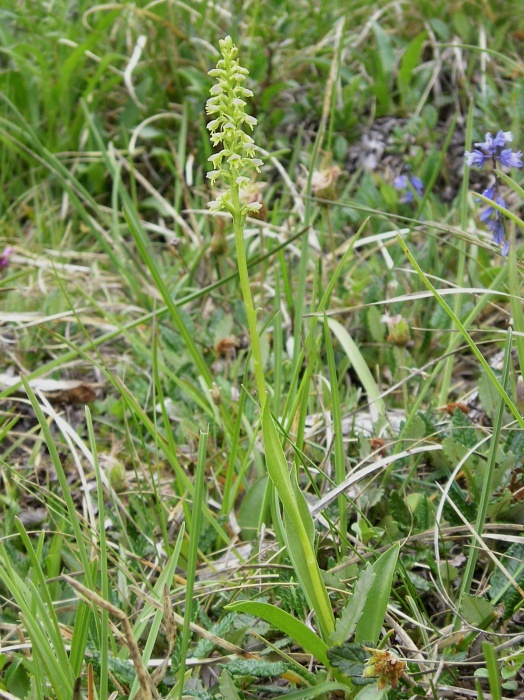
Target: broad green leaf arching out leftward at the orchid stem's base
x,y
286,623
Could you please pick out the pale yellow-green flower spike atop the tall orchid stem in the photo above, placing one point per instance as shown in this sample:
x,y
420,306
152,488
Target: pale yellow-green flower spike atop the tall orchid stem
x,y
237,153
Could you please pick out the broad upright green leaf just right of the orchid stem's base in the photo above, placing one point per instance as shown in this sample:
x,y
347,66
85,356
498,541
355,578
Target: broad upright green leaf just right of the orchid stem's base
x,y
370,624
